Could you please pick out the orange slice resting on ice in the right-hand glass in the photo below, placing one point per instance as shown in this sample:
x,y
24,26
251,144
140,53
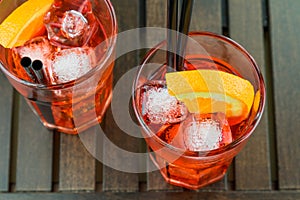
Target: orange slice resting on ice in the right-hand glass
x,y
210,91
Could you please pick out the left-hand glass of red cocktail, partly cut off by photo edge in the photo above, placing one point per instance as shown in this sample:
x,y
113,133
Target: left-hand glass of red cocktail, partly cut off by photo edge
x,y
72,99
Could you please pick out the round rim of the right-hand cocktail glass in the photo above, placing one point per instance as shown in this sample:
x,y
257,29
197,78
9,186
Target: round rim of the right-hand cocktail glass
x,y
218,151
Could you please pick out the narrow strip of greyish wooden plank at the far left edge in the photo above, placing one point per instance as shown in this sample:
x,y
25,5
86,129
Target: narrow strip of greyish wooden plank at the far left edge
x,y
6,103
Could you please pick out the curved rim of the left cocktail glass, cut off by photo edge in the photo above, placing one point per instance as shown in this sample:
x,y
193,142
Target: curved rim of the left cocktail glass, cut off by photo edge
x,y
112,44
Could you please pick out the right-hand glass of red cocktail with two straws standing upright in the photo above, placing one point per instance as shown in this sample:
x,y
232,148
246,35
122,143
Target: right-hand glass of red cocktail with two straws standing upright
x,y
165,122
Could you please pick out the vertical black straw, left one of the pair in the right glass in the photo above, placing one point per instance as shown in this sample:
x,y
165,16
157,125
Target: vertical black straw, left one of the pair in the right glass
x,y
172,7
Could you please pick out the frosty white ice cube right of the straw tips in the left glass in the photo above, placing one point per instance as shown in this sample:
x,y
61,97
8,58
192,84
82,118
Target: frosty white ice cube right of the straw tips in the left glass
x,y
70,64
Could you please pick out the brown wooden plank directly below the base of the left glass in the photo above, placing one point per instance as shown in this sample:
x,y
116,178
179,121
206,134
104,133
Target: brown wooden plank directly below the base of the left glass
x,y
76,164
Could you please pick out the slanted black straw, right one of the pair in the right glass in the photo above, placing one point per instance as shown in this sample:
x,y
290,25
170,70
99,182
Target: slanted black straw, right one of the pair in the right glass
x,y
185,19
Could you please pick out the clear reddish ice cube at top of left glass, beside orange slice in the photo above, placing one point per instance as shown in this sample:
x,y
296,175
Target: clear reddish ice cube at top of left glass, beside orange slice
x,y
70,23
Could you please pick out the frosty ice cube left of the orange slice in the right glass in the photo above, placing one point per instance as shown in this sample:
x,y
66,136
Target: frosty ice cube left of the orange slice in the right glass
x,y
158,107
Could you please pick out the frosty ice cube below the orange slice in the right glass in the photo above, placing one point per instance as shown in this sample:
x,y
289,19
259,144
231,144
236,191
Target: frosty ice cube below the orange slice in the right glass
x,y
205,132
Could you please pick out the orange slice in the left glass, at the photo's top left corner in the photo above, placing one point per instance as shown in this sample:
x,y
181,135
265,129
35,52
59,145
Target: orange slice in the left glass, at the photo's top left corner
x,y
23,23
